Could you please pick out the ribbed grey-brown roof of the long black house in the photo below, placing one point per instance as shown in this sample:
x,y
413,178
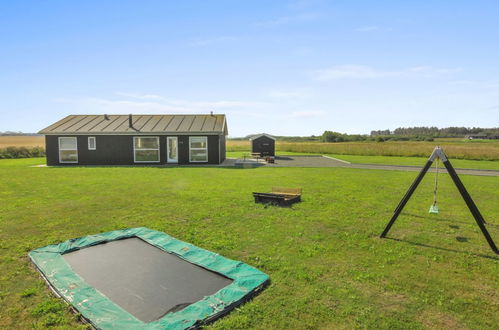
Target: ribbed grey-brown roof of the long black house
x,y
141,124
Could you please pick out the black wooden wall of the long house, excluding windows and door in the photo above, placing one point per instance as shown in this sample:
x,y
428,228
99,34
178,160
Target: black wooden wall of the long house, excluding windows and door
x,y
118,150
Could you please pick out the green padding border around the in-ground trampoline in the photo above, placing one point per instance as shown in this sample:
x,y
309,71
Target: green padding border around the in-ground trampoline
x,y
103,313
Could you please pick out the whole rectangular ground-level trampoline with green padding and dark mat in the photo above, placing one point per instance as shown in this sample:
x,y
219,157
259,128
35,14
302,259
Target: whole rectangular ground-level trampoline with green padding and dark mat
x,y
141,278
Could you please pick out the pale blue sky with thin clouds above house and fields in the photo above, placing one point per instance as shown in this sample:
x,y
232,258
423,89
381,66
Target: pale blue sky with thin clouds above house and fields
x,y
280,67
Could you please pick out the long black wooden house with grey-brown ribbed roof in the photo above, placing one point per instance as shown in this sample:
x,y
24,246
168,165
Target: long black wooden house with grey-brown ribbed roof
x,y
136,139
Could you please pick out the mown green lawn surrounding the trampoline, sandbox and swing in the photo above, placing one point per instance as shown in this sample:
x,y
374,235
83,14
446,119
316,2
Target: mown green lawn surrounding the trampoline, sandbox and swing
x,y
328,267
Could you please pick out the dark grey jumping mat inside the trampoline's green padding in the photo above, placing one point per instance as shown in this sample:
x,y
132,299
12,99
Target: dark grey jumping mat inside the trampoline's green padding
x,y
142,279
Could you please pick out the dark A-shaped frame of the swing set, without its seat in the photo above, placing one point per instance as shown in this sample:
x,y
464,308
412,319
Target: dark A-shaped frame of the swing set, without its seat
x,y
439,153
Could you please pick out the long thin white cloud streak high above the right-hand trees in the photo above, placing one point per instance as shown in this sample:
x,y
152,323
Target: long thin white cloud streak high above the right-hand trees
x,y
366,72
